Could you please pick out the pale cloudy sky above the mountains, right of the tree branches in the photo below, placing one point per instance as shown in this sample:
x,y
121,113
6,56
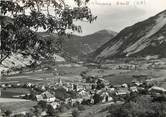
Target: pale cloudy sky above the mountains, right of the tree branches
x,y
115,15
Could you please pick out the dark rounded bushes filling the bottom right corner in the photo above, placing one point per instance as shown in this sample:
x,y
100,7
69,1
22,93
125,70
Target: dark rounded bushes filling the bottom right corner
x,y
142,106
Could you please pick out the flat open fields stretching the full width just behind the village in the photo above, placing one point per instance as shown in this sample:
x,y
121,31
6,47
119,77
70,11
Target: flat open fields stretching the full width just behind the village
x,y
72,74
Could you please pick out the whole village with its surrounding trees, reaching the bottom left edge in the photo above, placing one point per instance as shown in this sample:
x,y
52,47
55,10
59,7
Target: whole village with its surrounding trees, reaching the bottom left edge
x,y
53,98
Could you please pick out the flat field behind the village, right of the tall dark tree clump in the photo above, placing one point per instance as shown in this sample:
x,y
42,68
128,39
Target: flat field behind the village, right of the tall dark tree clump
x,y
126,76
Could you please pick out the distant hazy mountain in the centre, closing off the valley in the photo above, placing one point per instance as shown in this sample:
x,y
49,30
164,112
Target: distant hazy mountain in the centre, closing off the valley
x,y
79,46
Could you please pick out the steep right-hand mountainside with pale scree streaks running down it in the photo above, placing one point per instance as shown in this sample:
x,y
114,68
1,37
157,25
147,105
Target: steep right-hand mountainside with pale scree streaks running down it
x,y
142,39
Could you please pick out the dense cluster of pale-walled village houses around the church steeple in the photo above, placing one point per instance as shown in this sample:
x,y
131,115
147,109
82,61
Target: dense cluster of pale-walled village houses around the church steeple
x,y
85,92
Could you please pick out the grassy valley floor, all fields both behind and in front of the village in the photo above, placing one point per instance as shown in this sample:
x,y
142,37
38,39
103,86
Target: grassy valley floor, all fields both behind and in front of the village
x,y
114,74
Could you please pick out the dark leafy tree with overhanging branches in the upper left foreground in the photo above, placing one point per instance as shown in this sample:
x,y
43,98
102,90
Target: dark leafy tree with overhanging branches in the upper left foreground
x,y
21,19
